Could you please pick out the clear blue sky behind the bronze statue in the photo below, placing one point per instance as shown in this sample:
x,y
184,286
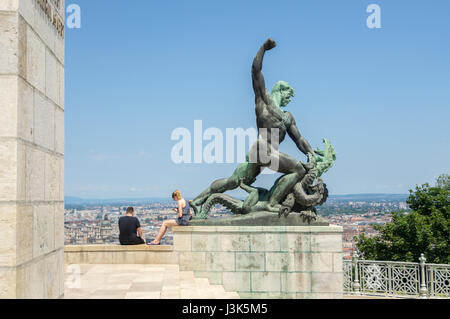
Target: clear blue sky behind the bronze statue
x,y
138,69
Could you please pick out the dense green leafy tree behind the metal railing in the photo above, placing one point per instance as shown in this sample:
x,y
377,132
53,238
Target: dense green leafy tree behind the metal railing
x,y
426,229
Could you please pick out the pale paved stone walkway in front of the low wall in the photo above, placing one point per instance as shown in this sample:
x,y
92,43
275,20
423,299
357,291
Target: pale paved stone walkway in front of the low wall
x,y
139,281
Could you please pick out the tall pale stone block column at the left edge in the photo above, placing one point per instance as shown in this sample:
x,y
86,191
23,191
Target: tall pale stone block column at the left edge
x,y
31,148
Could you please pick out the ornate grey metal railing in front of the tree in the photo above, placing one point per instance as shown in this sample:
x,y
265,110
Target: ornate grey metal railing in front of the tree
x,y
396,279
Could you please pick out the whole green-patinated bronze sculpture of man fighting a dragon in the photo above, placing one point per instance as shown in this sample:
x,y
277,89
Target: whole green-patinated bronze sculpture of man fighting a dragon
x,y
298,190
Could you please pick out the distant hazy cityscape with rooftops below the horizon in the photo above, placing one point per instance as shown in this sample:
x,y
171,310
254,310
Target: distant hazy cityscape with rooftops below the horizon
x,y
96,222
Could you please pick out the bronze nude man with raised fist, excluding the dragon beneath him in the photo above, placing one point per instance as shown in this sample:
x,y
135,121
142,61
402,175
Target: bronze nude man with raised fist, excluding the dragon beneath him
x,y
273,124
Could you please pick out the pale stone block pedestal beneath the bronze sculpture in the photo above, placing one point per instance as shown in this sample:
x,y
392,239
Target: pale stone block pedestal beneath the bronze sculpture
x,y
265,261
